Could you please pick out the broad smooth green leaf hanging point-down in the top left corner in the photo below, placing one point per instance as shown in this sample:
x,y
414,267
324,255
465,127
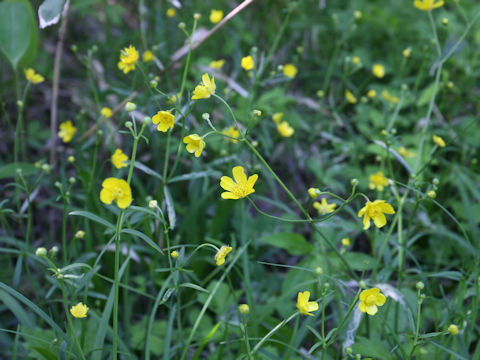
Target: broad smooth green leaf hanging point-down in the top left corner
x,y
15,30
